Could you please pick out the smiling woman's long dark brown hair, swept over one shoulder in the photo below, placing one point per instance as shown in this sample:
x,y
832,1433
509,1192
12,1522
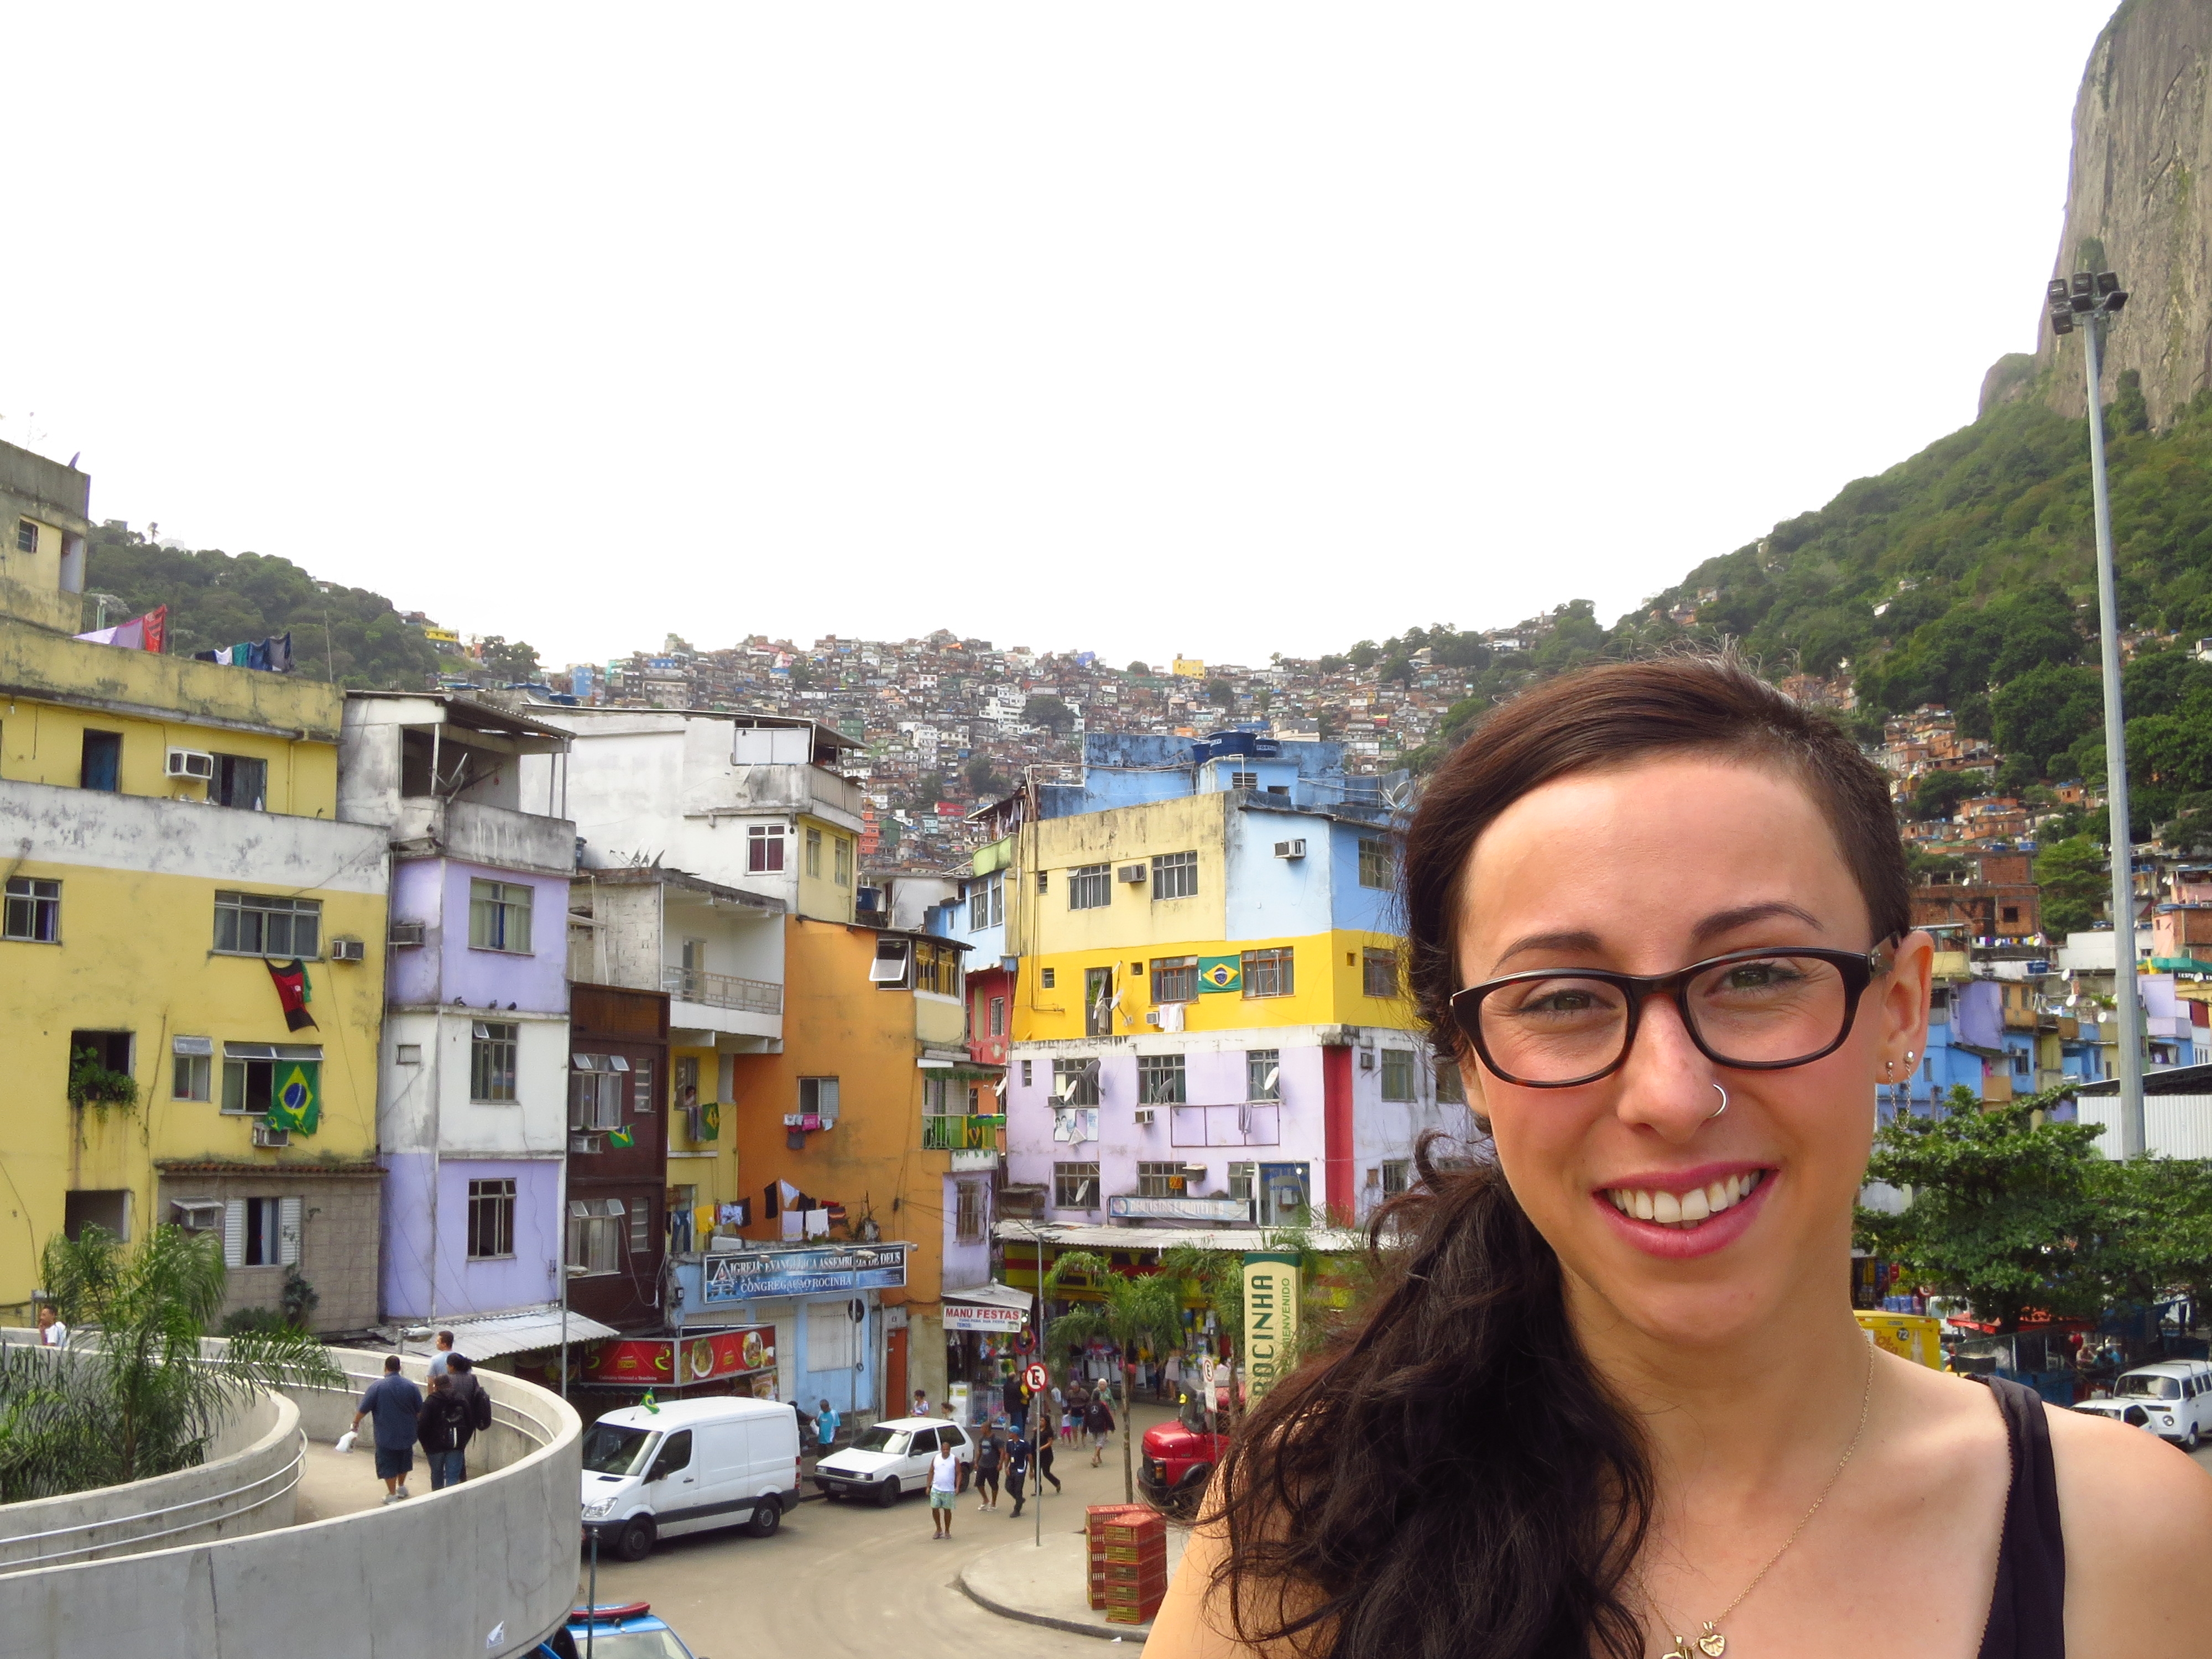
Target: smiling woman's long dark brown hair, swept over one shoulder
x,y
1450,1479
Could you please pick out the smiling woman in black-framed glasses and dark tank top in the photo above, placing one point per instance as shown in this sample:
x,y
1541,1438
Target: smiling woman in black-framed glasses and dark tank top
x,y
1609,1397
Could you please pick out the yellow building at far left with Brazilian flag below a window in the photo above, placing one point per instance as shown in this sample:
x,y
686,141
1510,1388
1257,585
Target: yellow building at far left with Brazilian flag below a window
x,y
167,837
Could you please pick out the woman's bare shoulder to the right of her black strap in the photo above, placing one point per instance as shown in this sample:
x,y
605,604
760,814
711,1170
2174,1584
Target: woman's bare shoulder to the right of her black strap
x,y
2138,1525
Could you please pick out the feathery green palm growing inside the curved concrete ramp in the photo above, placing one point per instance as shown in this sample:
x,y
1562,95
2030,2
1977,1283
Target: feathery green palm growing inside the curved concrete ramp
x,y
140,1317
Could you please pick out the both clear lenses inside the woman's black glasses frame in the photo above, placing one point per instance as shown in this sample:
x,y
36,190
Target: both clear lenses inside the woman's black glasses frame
x,y
1565,1027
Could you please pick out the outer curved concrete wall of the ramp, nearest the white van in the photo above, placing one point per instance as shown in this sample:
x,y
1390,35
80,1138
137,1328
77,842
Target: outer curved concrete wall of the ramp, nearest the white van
x,y
477,1569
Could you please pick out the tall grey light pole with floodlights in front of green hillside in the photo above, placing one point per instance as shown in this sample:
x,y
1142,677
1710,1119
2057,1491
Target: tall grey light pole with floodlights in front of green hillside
x,y
2089,302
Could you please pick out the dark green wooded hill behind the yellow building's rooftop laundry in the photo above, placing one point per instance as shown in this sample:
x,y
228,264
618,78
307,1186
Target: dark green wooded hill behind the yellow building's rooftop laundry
x,y
218,601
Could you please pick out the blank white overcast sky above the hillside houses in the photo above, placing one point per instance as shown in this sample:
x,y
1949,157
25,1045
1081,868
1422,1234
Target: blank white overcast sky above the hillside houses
x,y
1140,328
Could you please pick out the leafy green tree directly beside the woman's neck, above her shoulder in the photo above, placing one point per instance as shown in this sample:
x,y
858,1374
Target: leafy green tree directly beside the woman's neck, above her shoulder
x,y
2003,1209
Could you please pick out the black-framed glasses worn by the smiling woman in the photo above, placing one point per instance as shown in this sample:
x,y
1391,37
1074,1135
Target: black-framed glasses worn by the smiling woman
x,y
1746,1010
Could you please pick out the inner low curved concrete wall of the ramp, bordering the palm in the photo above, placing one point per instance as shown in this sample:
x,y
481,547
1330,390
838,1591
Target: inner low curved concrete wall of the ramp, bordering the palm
x,y
247,1485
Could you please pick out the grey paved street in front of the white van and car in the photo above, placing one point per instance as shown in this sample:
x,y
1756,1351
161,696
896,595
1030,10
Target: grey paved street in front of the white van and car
x,y
846,1578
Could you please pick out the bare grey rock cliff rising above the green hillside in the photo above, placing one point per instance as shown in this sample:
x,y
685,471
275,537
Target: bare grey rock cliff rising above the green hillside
x,y
2140,202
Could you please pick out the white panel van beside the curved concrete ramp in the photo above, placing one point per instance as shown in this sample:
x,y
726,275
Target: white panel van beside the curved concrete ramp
x,y
689,1468
